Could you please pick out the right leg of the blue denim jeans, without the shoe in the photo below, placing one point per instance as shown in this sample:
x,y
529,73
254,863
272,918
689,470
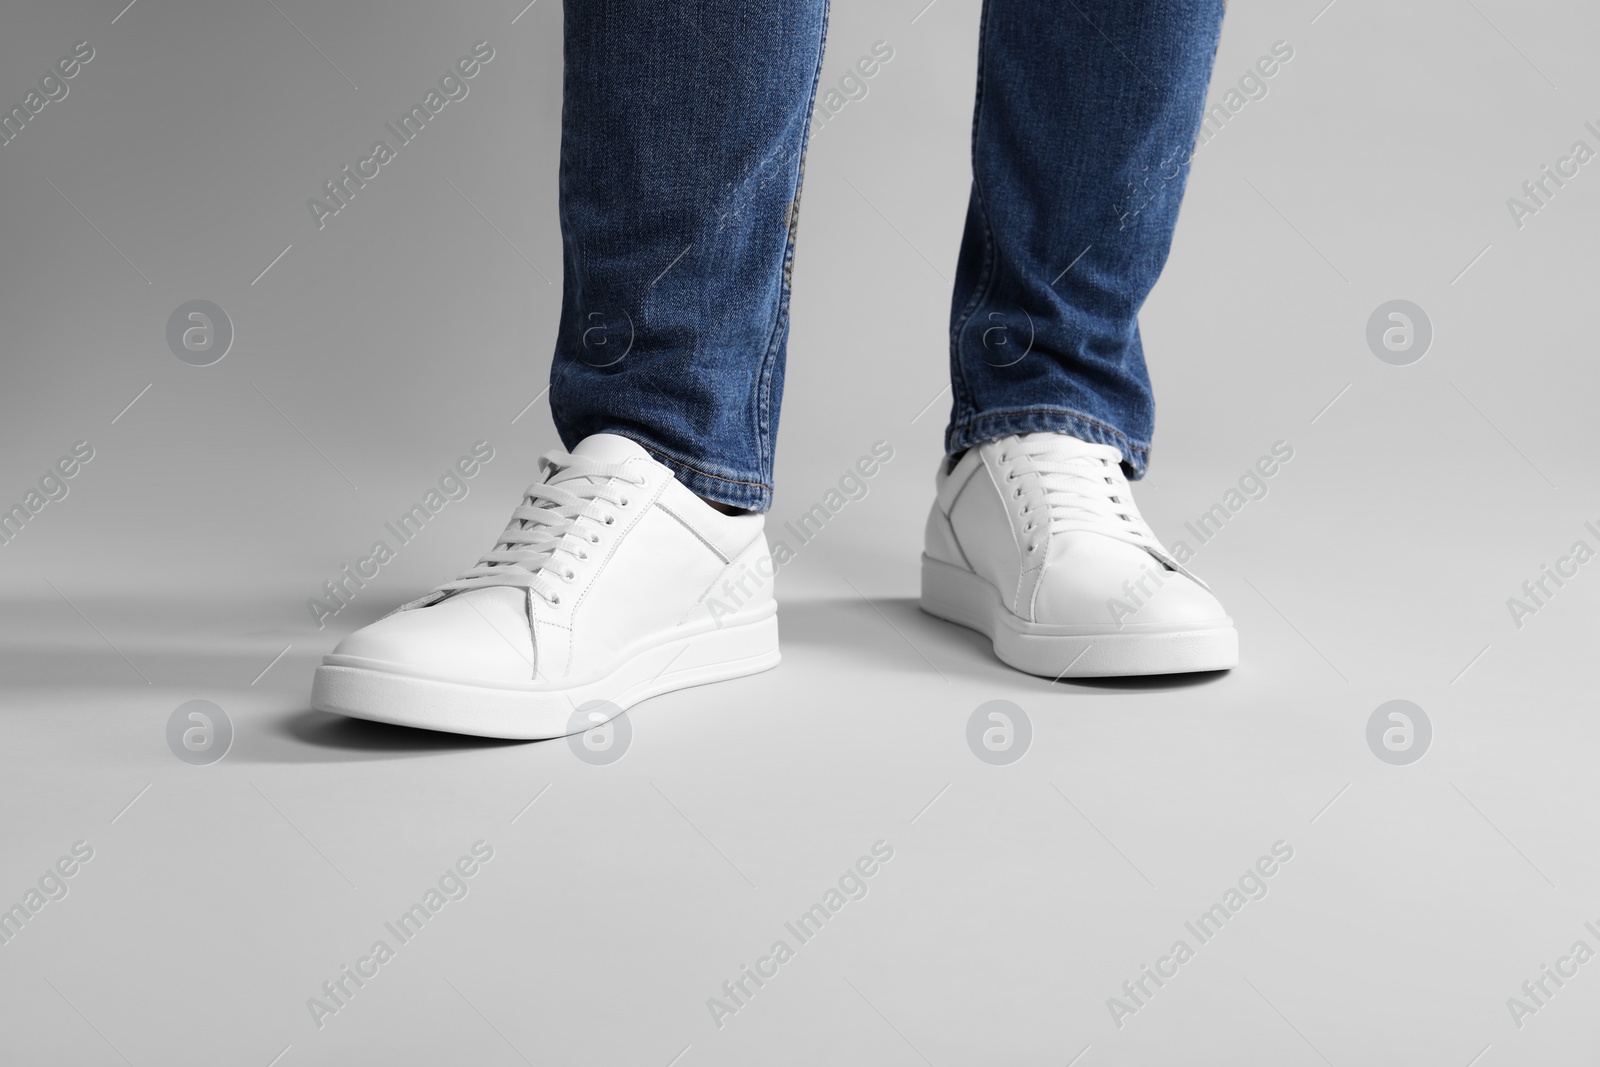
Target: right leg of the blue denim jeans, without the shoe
x,y
1087,116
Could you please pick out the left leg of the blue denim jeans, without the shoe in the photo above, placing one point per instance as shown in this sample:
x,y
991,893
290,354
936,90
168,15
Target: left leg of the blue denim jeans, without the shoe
x,y
684,134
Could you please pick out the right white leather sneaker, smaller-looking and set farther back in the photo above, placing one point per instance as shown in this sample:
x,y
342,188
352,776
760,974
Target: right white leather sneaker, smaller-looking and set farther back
x,y
1038,543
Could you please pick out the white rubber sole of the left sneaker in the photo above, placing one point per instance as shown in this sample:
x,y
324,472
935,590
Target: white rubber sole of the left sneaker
x,y
388,695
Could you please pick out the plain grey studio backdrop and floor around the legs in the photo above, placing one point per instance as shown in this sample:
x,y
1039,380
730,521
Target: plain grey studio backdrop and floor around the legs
x,y
374,353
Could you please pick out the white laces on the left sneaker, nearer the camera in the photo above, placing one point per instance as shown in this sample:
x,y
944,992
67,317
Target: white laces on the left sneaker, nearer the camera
x,y
554,527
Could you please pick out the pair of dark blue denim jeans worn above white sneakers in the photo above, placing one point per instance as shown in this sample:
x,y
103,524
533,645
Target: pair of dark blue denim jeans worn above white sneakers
x,y
684,137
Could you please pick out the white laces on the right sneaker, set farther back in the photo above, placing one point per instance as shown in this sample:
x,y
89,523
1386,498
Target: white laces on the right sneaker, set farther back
x,y
1081,490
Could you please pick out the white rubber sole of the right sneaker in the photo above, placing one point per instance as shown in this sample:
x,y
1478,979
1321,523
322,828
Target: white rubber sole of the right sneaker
x,y
1073,652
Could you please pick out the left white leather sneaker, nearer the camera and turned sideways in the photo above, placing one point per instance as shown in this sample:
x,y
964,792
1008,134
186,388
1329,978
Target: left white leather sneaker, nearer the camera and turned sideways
x,y
612,585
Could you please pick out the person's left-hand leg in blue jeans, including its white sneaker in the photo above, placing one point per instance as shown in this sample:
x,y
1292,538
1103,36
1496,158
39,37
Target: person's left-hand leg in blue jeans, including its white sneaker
x,y
684,132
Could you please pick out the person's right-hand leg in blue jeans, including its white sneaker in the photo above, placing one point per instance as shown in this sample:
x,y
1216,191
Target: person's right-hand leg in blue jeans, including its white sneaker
x,y
1087,114
